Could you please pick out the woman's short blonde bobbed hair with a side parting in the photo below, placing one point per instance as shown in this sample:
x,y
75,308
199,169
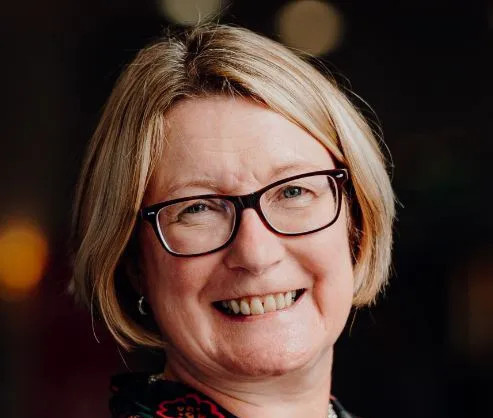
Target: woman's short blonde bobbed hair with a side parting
x,y
211,60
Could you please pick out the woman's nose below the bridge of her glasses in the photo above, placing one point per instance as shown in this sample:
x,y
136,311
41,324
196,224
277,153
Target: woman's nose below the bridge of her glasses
x,y
255,248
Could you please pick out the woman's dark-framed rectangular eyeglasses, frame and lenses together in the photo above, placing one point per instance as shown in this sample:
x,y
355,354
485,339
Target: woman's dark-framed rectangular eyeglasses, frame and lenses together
x,y
203,224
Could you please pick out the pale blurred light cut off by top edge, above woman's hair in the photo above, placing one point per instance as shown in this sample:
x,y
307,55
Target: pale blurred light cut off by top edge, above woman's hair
x,y
190,12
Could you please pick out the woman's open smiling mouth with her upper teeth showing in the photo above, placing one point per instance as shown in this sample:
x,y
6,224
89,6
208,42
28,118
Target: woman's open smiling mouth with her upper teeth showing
x,y
258,305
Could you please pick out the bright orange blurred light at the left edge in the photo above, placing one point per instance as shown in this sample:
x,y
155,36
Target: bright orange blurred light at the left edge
x,y
23,258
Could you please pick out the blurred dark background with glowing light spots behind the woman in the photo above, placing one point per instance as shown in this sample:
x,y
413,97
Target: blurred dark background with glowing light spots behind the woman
x,y
426,348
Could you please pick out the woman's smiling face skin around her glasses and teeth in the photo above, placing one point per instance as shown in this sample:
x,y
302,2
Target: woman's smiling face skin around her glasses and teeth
x,y
234,146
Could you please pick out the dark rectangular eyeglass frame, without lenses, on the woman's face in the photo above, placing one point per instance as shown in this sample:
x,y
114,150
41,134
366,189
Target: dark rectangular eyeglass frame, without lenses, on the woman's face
x,y
240,203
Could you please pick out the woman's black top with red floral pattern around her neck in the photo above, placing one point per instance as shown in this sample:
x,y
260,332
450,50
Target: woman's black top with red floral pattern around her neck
x,y
138,395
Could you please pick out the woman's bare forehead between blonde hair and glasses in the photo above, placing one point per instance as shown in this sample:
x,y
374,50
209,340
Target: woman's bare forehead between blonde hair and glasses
x,y
235,143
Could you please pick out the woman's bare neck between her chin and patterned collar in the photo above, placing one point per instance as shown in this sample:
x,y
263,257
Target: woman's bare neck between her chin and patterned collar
x,y
305,391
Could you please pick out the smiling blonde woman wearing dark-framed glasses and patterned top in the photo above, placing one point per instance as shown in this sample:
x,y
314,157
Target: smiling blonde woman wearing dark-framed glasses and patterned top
x,y
245,203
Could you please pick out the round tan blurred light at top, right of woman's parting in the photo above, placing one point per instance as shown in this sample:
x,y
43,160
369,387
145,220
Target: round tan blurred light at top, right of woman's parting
x,y
312,26
